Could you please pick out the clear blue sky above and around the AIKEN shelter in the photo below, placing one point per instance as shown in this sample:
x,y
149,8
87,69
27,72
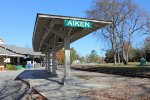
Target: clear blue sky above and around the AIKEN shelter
x,y
17,18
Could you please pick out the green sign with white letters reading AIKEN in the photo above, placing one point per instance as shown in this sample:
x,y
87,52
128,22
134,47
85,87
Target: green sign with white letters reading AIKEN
x,y
77,23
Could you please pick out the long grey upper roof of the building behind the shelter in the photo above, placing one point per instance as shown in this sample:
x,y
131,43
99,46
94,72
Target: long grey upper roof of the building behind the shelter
x,y
20,50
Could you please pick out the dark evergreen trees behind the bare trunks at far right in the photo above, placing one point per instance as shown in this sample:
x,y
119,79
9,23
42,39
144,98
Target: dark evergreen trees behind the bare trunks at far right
x,y
135,54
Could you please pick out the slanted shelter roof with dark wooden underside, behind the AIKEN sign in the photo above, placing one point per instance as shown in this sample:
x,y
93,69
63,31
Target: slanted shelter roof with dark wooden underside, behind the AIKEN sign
x,y
48,26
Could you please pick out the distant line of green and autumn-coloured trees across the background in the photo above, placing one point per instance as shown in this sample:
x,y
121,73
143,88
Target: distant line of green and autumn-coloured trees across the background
x,y
135,55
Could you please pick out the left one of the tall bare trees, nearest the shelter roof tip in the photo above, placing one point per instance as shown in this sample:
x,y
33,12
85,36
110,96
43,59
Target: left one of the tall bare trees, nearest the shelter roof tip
x,y
109,10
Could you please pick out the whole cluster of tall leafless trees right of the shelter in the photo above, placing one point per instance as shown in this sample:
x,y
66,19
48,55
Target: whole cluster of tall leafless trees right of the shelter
x,y
126,21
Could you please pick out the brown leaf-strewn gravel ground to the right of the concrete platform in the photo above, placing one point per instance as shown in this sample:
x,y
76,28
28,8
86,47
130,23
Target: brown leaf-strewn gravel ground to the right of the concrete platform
x,y
122,87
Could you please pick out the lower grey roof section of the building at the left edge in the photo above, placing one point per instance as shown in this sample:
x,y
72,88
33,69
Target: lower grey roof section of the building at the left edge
x,y
5,52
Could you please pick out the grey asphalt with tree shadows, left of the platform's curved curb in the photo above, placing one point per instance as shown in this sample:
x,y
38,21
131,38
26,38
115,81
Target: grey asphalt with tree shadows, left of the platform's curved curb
x,y
11,89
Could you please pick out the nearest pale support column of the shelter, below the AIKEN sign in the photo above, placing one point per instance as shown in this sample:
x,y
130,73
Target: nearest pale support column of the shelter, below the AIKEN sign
x,y
67,58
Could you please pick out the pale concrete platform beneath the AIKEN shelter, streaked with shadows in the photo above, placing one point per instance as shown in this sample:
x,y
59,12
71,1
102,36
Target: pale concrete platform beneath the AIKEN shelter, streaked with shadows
x,y
51,88
